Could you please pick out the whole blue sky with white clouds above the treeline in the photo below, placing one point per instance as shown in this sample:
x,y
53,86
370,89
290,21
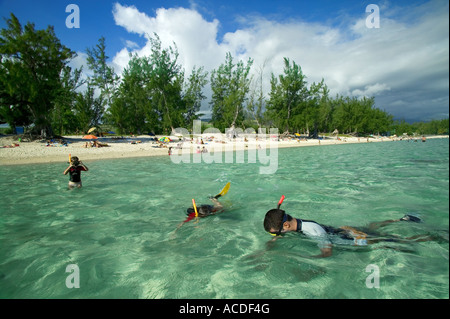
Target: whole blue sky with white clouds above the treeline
x,y
404,63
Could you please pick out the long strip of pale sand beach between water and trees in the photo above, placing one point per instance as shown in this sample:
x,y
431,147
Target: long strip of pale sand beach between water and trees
x,y
15,152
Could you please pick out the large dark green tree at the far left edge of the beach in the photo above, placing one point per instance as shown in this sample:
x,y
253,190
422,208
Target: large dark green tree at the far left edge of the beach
x,y
32,62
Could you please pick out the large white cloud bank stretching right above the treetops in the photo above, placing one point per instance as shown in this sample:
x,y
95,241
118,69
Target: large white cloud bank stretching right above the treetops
x,y
404,63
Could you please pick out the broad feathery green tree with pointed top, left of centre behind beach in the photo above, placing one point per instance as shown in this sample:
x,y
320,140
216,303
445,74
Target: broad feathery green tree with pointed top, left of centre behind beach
x,y
150,96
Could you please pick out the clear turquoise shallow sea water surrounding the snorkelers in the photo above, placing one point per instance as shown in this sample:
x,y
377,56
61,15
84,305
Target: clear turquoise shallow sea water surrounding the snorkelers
x,y
119,229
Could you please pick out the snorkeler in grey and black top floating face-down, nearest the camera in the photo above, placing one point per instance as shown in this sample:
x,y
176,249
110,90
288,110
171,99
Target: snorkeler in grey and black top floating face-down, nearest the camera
x,y
277,223
